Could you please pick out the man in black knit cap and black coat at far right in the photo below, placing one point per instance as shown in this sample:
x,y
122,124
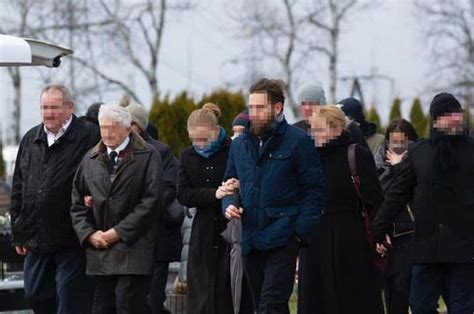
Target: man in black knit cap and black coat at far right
x,y
437,176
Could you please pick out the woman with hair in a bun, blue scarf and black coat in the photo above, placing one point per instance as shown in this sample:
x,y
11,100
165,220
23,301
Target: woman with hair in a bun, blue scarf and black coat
x,y
201,173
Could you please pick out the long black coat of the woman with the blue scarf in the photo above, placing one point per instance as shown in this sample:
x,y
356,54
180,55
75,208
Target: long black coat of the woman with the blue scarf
x,y
208,273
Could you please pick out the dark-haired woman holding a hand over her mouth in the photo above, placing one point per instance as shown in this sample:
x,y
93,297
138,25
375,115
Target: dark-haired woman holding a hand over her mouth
x,y
398,273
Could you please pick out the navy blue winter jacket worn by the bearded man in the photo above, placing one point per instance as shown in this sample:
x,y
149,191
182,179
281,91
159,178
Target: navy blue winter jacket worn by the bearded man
x,y
281,186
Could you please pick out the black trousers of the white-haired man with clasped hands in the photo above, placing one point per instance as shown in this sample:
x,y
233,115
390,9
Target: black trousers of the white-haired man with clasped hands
x,y
121,294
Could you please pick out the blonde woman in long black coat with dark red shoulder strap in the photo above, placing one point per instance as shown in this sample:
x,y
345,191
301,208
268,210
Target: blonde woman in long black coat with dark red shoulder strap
x,y
336,271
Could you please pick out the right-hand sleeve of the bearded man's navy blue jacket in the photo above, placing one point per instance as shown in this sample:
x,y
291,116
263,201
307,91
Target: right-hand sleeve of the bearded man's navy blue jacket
x,y
311,180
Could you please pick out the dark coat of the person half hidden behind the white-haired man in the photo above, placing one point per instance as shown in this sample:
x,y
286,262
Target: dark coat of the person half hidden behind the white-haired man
x,y
168,234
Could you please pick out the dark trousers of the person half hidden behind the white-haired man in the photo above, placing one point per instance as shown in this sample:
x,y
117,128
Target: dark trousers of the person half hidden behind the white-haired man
x,y
157,294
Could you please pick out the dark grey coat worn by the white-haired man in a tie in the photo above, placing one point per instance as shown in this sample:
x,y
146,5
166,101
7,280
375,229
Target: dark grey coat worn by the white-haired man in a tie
x,y
129,204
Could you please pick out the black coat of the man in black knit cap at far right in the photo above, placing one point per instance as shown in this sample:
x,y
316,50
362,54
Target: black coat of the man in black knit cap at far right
x,y
444,215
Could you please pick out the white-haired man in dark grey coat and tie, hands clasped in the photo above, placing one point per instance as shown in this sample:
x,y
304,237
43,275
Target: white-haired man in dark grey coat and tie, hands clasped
x,y
122,175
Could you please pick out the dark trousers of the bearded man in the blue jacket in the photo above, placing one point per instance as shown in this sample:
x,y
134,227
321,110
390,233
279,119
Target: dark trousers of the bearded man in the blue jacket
x,y
271,275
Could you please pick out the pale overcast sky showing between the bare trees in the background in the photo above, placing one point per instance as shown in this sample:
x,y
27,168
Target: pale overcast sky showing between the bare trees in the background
x,y
198,46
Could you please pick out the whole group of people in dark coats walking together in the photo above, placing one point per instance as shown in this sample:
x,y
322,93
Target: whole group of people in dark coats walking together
x,y
354,211
